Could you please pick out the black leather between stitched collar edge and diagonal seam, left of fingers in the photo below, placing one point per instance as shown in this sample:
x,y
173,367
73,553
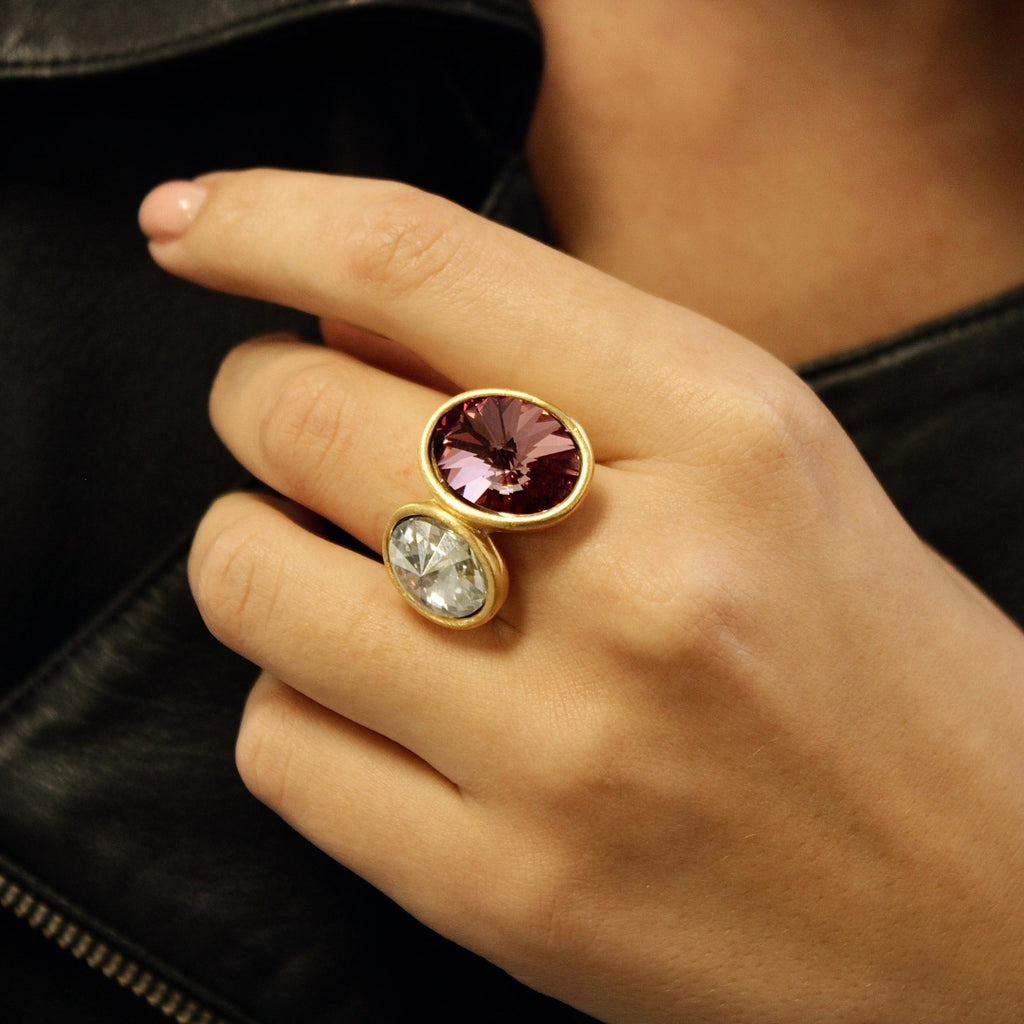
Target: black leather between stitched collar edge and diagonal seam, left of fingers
x,y
106,361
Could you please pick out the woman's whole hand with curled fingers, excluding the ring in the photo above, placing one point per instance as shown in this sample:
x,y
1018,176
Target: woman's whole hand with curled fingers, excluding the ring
x,y
739,748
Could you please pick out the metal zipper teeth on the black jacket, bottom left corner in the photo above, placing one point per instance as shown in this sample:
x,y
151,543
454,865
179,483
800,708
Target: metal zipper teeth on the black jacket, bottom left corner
x,y
83,946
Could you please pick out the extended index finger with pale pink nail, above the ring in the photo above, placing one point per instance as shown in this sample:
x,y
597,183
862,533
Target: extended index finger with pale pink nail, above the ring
x,y
470,297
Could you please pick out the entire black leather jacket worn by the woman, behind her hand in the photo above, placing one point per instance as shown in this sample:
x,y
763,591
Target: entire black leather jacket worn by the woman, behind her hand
x,y
125,835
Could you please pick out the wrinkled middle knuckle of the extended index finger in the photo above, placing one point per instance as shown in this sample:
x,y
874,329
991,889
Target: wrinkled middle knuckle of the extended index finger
x,y
404,241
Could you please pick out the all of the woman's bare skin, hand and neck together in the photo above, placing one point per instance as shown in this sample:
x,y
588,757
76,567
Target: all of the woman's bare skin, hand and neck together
x,y
740,748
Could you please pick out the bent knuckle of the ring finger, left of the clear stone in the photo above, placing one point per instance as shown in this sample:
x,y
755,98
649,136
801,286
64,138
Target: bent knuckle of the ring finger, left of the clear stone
x,y
233,578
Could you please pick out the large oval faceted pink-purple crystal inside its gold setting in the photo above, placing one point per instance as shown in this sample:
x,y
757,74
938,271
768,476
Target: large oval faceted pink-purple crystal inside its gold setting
x,y
506,455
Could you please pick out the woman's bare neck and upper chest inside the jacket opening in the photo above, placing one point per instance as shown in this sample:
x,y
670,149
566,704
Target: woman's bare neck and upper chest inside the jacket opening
x,y
814,175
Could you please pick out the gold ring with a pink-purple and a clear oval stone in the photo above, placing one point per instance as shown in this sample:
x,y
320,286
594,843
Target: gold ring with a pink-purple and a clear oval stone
x,y
495,461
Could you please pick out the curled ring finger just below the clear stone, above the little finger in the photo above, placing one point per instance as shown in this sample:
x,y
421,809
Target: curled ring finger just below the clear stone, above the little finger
x,y
328,622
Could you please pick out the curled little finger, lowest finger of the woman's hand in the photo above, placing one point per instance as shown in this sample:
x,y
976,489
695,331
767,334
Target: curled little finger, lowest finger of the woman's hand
x,y
385,814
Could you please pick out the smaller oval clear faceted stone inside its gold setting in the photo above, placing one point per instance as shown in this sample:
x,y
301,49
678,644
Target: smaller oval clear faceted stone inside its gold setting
x,y
437,568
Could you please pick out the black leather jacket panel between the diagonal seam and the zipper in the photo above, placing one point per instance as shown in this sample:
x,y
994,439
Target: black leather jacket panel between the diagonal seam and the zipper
x,y
118,788
